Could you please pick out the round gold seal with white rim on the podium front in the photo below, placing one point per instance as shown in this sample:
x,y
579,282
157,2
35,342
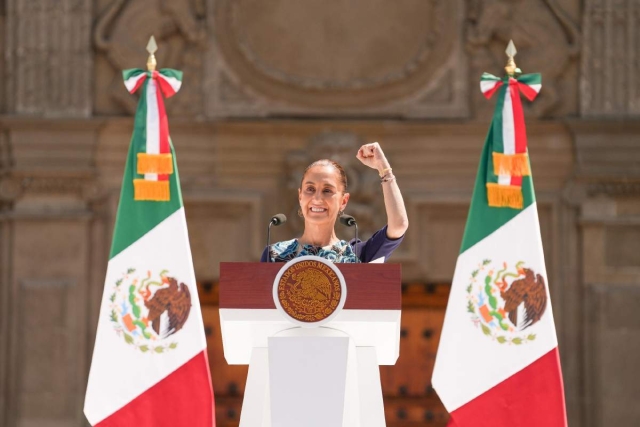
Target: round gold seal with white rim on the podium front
x,y
309,290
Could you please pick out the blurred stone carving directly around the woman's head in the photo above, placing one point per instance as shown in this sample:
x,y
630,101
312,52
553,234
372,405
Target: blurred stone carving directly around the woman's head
x,y
365,204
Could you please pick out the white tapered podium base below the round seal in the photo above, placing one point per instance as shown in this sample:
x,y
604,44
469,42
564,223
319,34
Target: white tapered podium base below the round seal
x,y
313,377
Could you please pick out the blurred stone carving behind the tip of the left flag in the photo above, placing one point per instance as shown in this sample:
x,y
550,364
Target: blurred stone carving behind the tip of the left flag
x,y
123,30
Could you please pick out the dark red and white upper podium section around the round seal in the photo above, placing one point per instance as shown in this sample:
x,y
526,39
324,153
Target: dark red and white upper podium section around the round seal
x,y
371,315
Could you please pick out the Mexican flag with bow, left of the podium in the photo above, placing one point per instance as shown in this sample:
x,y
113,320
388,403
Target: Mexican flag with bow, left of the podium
x,y
150,364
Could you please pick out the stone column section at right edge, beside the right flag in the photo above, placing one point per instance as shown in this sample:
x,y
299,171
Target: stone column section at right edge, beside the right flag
x,y
606,317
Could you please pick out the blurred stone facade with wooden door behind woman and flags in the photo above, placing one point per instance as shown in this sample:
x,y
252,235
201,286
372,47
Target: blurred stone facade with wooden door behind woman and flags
x,y
270,86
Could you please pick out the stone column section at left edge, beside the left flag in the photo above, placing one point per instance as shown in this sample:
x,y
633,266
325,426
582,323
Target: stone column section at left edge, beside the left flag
x,y
51,251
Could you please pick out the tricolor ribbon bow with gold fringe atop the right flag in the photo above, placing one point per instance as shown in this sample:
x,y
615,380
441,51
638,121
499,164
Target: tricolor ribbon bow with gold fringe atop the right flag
x,y
510,160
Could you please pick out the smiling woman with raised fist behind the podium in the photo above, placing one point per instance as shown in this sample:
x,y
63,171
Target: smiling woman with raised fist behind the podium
x,y
323,198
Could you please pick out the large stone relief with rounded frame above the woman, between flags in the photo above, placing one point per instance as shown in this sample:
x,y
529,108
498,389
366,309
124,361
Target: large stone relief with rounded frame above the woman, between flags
x,y
286,57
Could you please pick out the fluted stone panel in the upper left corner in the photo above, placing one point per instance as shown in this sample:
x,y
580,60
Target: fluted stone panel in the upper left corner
x,y
49,67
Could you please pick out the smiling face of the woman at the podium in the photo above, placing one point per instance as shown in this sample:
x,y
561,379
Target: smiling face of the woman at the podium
x,y
322,195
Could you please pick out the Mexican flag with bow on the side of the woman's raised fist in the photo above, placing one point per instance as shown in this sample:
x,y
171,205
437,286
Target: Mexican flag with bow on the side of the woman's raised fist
x,y
497,362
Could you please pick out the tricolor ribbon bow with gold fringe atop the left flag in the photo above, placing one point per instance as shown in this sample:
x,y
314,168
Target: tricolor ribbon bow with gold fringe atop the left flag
x,y
151,142
